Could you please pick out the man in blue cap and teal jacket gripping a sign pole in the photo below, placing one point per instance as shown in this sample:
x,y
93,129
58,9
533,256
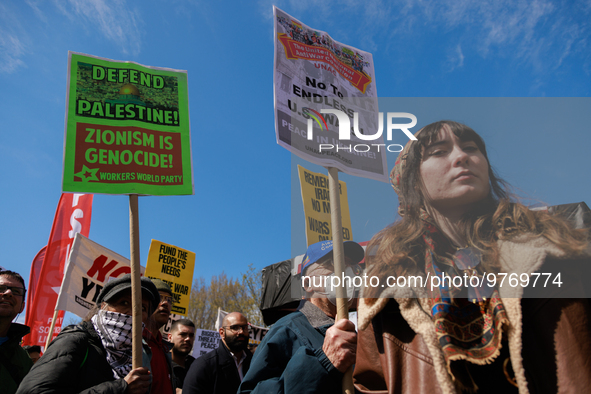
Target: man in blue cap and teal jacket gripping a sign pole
x,y
306,351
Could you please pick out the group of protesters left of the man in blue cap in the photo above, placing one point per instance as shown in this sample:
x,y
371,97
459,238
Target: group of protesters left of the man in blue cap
x,y
95,356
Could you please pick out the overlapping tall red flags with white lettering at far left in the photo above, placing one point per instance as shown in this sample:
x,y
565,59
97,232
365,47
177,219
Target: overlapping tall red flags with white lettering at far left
x,y
72,216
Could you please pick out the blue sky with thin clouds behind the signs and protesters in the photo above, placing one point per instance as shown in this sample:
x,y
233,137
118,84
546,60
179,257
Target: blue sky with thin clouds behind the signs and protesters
x,y
246,209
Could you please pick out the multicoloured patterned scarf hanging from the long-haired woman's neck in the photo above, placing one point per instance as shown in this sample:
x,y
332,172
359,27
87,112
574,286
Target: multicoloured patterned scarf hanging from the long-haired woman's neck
x,y
469,320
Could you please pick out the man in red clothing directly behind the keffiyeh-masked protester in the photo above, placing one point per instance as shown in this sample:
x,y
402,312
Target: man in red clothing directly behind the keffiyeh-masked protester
x,y
161,360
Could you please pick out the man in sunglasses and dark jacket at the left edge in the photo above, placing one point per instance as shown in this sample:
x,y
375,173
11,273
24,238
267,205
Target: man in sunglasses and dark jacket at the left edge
x,y
15,362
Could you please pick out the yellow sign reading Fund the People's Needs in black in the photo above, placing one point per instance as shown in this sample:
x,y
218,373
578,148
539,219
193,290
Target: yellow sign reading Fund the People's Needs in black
x,y
174,266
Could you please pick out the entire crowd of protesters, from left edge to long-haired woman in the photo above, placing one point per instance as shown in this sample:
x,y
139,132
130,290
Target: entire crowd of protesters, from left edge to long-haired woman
x,y
457,220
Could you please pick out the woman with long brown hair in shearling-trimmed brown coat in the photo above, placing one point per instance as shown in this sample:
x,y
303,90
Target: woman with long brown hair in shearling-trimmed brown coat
x,y
456,308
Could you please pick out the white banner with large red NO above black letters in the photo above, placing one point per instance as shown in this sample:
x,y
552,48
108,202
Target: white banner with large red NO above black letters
x,y
87,271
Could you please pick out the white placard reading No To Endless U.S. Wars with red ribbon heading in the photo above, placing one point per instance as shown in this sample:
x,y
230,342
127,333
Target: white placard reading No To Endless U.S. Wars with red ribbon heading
x,y
319,85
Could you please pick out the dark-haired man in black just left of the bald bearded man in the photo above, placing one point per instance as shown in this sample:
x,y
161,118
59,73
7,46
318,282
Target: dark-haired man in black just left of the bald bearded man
x,y
182,337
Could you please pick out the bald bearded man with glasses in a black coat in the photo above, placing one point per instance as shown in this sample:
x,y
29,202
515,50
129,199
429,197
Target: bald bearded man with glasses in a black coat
x,y
221,370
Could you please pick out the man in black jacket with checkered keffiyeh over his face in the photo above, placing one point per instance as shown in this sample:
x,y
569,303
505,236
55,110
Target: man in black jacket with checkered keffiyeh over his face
x,y
95,356
